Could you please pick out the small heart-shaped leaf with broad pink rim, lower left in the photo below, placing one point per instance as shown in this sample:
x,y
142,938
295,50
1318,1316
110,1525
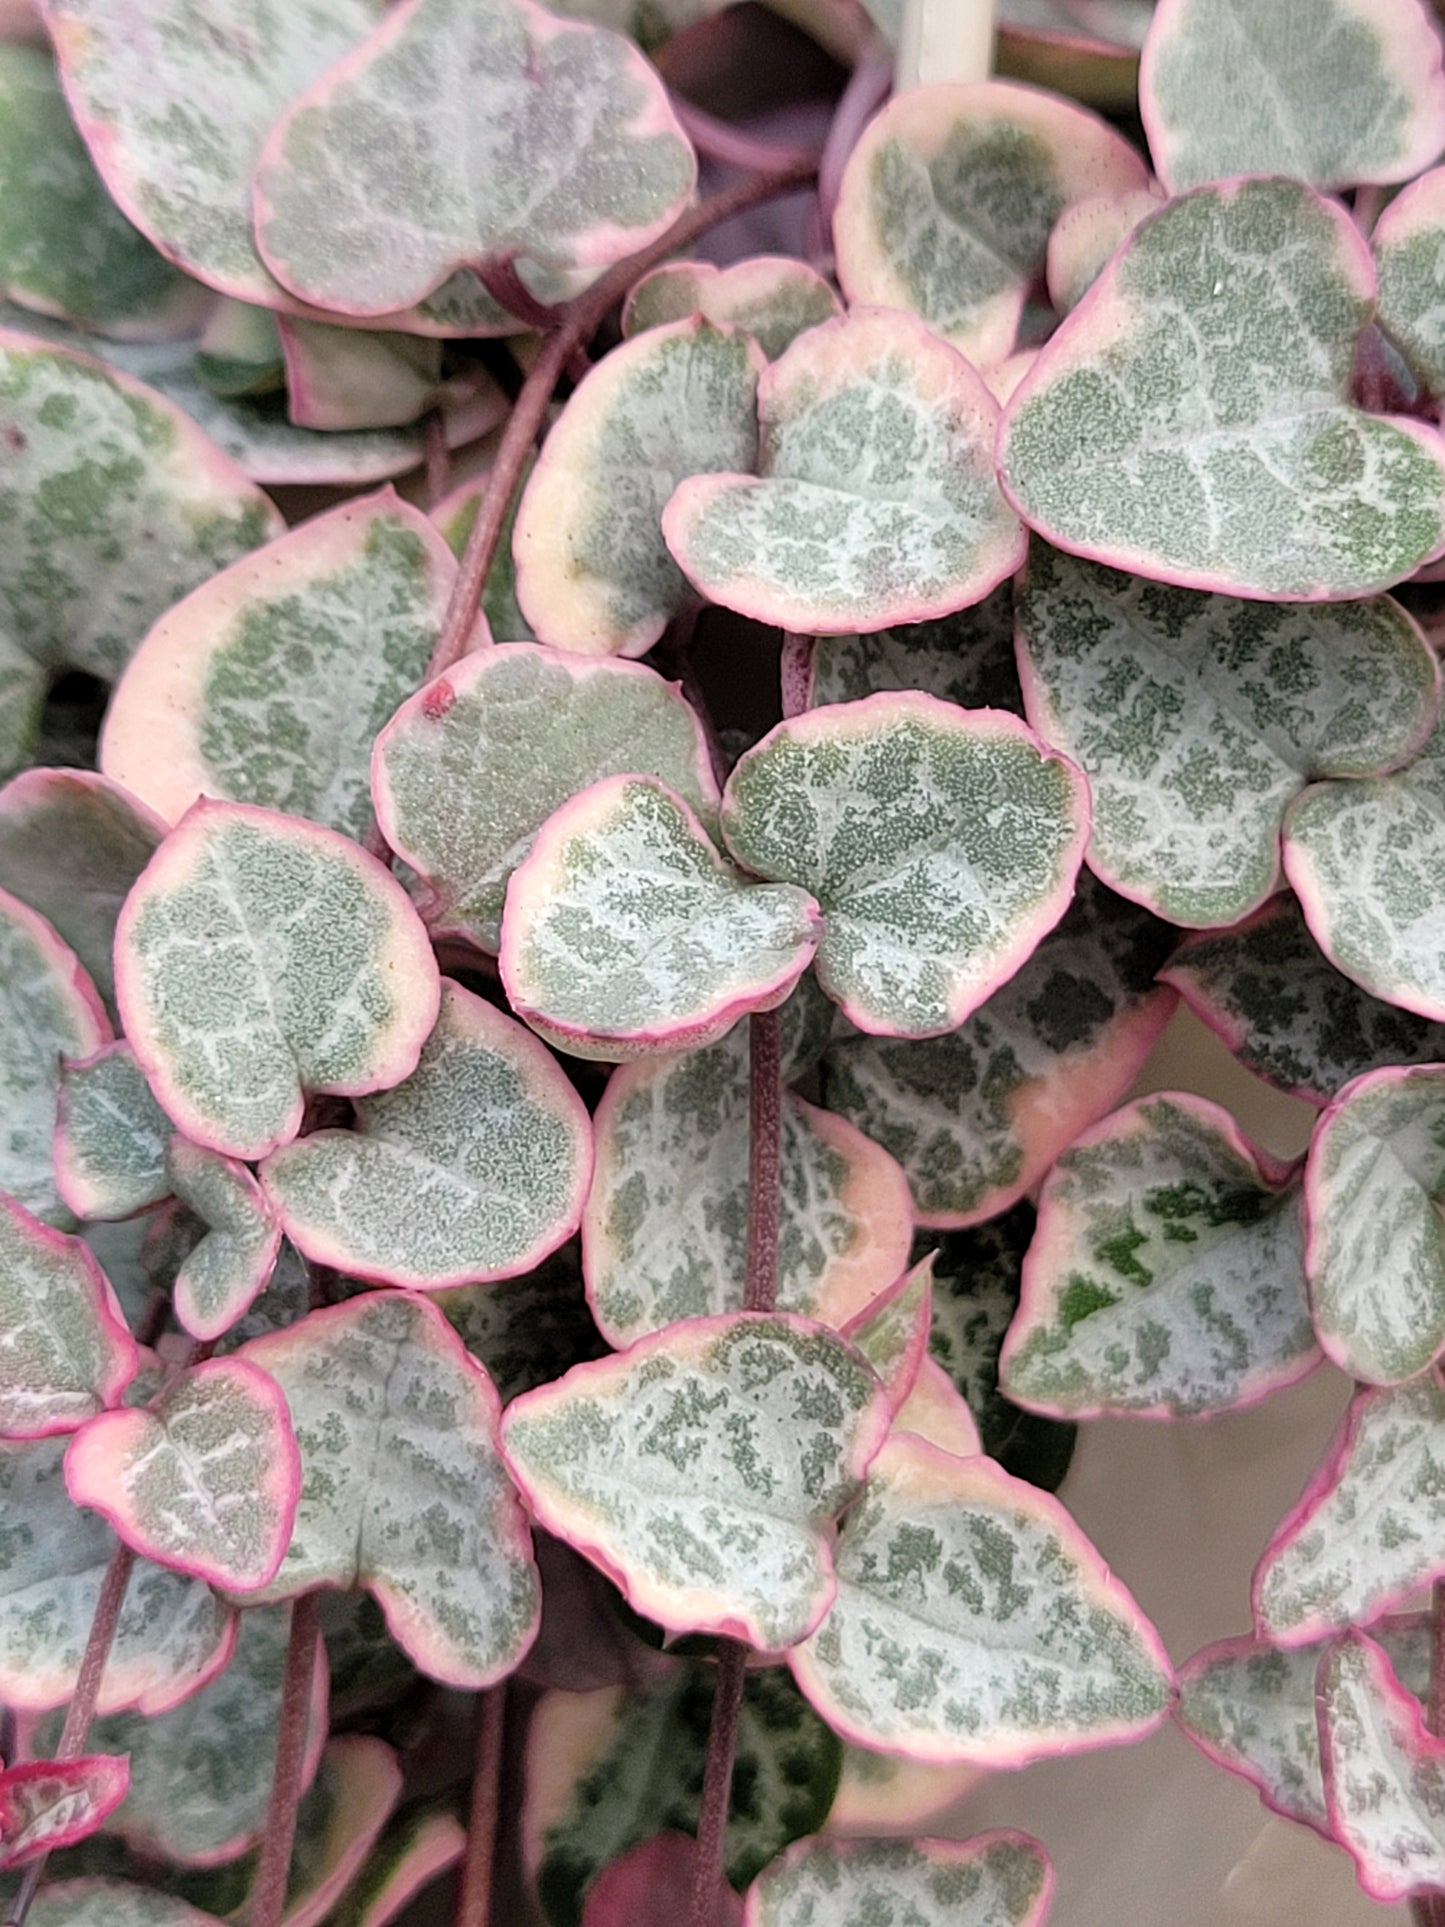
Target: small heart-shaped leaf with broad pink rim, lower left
x,y
203,1481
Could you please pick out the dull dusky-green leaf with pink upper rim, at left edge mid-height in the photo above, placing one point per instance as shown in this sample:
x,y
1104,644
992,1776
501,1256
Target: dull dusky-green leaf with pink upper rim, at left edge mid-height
x,y
72,843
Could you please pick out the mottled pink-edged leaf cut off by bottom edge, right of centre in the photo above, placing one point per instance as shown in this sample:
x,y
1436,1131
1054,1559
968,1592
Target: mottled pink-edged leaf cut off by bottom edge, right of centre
x,y
995,1880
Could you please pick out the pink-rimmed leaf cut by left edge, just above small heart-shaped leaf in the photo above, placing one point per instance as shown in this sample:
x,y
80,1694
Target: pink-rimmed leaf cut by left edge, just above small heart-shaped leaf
x,y
65,1348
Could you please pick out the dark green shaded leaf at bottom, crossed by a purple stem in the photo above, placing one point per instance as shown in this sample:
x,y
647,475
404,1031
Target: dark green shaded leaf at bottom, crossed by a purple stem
x,y
610,1770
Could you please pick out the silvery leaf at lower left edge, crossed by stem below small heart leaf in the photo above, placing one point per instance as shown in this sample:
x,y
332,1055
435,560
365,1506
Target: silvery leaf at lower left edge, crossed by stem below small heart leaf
x,y
172,1637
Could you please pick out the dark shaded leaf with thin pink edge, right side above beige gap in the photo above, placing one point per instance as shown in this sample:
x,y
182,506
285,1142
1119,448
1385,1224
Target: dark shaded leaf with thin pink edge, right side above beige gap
x,y
1288,1015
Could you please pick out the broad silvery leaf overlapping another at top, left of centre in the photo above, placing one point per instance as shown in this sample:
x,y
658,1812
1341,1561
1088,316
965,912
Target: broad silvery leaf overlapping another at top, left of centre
x,y
512,136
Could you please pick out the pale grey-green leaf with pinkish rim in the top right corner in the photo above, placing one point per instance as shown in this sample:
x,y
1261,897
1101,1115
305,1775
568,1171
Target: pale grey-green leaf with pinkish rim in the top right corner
x,y
1330,92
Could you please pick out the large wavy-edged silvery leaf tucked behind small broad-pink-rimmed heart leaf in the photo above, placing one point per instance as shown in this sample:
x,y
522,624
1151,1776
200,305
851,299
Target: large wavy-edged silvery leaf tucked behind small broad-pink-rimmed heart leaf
x,y
402,1485
